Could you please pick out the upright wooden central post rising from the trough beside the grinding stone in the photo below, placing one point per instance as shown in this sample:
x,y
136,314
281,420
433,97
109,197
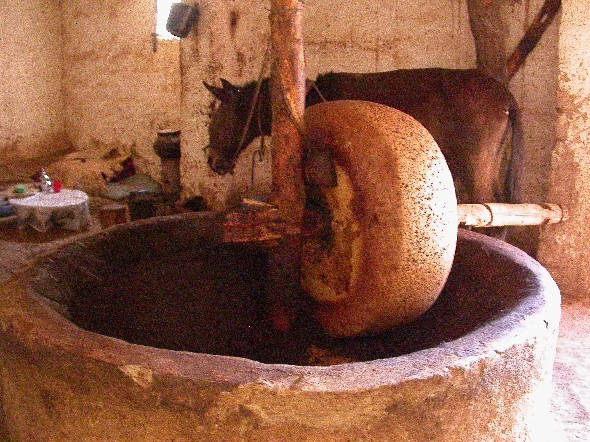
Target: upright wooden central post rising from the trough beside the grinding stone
x,y
288,104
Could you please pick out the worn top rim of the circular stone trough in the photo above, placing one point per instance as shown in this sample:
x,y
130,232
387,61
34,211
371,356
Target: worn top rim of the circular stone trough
x,y
29,319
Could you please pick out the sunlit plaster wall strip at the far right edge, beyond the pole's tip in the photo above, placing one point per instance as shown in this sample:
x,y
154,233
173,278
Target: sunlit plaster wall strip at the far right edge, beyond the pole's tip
x,y
564,247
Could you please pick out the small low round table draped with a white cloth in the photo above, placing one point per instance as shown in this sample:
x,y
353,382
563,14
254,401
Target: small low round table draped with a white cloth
x,y
67,209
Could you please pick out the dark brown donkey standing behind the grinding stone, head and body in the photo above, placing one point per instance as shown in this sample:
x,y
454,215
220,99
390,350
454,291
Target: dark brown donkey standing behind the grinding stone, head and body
x,y
470,115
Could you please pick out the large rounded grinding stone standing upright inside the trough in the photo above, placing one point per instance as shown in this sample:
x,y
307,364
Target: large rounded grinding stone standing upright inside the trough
x,y
393,219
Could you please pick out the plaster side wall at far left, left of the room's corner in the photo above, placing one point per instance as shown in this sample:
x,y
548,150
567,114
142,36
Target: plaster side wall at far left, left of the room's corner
x,y
31,99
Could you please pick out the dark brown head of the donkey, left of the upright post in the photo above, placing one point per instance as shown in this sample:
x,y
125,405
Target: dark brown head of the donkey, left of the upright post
x,y
235,123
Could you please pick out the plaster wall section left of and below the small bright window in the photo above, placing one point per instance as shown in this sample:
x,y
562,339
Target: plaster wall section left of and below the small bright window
x,y
118,91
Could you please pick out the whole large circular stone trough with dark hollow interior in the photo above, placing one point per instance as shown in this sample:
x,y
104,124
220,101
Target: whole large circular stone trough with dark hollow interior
x,y
155,330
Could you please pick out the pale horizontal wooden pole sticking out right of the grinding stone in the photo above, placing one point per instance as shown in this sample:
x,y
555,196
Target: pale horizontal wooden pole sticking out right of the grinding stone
x,y
501,214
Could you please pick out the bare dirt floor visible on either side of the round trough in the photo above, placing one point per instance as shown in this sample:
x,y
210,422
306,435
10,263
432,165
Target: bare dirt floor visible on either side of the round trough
x,y
571,380
